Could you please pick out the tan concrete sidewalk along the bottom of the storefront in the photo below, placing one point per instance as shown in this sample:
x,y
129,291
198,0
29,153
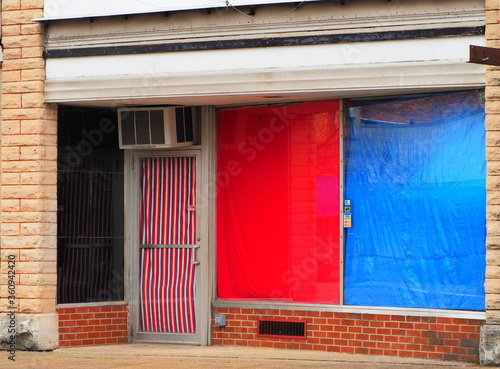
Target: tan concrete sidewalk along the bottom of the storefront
x,y
208,357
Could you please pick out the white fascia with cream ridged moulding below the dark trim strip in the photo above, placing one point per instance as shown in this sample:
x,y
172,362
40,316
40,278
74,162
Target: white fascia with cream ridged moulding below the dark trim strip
x,y
248,75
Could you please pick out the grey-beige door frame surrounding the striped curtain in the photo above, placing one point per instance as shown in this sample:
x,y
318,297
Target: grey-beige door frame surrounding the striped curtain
x,y
203,279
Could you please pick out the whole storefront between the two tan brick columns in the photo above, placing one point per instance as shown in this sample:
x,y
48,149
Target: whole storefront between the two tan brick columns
x,y
324,187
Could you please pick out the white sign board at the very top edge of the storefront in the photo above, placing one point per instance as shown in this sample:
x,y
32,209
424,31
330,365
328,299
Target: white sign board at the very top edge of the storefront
x,y
66,9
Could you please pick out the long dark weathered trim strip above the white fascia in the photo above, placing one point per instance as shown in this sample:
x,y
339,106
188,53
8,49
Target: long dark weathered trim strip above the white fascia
x,y
265,42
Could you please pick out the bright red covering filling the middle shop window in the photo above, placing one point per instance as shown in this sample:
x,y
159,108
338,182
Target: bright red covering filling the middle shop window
x,y
278,203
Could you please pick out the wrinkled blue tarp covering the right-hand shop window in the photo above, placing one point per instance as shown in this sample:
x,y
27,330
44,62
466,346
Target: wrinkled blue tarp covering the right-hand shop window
x,y
416,181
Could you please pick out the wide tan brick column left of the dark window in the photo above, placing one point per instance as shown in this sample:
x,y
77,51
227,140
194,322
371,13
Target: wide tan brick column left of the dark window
x,y
28,181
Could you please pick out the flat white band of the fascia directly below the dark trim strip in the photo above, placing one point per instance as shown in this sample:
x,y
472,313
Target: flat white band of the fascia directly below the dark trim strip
x,y
362,53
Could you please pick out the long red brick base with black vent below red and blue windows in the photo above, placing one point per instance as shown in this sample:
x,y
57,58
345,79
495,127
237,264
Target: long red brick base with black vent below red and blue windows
x,y
373,334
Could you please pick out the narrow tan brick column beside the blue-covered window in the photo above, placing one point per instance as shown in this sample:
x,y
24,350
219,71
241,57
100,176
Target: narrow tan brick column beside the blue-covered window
x,y
490,334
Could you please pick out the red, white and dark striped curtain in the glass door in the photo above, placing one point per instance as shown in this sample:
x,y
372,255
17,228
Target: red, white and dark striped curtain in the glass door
x,y
167,217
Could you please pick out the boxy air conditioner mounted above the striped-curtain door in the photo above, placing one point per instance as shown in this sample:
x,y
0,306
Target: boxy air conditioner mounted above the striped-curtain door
x,y
145,128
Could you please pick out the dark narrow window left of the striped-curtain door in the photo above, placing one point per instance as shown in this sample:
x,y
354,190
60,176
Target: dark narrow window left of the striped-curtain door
x,y
90,248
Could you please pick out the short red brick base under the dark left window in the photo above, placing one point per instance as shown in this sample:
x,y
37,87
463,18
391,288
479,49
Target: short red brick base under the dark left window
x,y
93,325
